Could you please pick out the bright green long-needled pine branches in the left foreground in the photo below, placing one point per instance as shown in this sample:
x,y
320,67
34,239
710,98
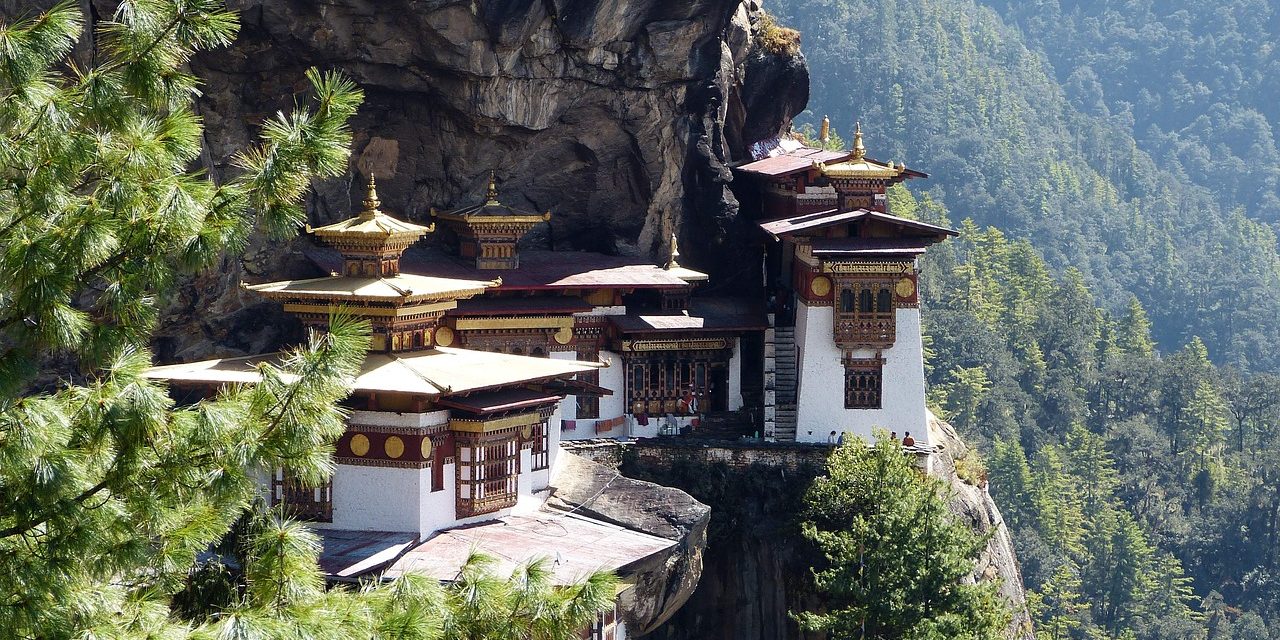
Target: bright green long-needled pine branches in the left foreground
x,y
108,490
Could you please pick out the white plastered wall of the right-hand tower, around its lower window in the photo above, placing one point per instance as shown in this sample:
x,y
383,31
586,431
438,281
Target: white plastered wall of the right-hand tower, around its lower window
x,y
821,400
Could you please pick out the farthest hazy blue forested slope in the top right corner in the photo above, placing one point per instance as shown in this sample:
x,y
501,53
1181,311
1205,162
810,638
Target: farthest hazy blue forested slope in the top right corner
x,y
1197,83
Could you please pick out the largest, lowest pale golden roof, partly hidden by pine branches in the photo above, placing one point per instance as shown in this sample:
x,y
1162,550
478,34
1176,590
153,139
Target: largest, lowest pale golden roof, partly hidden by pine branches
x,y
437,372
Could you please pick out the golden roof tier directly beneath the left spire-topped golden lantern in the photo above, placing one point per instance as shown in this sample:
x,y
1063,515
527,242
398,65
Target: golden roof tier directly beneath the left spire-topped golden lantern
x,y
400,289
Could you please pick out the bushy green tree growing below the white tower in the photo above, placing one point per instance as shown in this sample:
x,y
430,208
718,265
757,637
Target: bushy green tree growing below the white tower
x,y
897,559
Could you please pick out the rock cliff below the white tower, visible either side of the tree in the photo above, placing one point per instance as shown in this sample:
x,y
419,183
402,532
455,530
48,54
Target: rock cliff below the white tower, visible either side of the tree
x,y
756,568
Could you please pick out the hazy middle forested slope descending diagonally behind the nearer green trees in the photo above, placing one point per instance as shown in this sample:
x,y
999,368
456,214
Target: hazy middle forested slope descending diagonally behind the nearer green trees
x,y
950,89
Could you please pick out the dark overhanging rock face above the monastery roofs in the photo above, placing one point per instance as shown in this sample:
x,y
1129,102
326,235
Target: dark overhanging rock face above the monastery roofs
x,y
620,117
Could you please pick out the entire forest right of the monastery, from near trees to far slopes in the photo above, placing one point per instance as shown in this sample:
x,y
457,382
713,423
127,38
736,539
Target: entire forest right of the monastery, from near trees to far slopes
x,y
1105,330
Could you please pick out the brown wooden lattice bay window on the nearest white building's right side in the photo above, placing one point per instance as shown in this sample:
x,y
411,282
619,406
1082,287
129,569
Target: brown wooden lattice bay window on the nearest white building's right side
x,y
488,473
